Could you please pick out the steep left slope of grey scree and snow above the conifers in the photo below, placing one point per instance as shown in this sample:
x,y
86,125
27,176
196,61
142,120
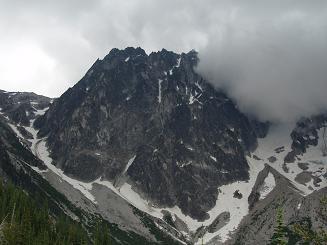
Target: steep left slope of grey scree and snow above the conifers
x,y
21,167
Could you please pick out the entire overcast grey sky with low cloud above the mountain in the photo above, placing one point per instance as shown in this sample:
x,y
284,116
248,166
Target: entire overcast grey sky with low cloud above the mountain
x,y
270,56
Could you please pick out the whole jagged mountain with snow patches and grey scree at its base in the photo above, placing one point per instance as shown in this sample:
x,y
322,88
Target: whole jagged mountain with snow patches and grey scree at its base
x,y
145,142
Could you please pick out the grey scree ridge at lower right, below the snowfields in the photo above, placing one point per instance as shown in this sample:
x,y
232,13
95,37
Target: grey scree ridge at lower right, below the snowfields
x,y
258,225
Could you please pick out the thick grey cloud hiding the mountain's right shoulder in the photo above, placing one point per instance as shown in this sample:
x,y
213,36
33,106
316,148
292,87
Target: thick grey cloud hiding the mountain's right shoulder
x,y
273,64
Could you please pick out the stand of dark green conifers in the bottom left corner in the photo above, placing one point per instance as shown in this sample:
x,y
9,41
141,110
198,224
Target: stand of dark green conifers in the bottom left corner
x,y
27,220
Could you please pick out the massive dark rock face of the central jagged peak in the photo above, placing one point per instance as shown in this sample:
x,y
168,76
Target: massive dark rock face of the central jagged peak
x,y
187,138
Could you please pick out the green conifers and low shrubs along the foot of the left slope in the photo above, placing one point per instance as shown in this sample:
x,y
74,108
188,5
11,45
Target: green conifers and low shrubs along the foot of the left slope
x,y
29,220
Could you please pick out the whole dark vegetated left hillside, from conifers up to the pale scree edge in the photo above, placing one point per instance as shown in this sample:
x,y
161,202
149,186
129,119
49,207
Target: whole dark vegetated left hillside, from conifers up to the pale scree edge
x,y
46,205
